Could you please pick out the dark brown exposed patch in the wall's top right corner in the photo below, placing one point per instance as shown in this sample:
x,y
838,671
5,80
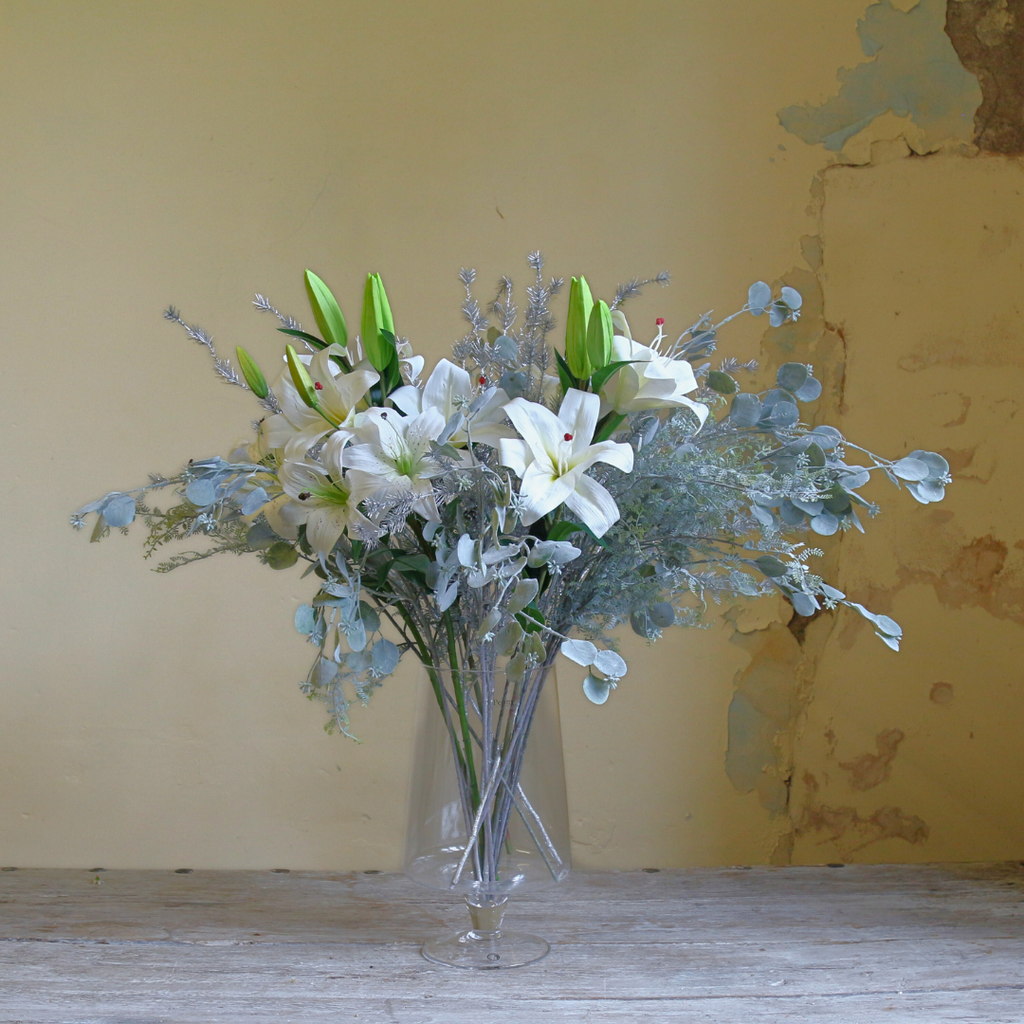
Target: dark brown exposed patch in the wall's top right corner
x,y
989,36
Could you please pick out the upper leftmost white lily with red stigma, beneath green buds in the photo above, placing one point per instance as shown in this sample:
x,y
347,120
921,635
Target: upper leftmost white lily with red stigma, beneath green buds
x,y
298,428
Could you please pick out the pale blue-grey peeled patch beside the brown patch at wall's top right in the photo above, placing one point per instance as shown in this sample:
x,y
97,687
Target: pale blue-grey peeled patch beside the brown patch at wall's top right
x,y
913,72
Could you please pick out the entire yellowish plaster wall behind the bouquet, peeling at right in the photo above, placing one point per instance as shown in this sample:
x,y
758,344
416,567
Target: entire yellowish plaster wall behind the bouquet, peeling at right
x,y
195,153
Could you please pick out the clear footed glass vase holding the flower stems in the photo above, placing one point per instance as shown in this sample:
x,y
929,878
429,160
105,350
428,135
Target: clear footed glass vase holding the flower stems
x,y
488,817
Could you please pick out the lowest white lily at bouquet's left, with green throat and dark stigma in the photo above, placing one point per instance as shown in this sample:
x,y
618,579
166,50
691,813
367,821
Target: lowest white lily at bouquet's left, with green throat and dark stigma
x,y
324,498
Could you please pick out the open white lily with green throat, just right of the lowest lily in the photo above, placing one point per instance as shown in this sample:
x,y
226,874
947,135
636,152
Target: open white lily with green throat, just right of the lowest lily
x,y
394,456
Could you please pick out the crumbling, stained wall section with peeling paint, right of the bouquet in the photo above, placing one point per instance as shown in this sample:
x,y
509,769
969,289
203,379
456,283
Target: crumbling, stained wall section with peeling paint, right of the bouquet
x,y
916,273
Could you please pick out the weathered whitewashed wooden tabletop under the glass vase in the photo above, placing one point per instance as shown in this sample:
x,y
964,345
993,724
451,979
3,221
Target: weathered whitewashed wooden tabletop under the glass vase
x,y
928,944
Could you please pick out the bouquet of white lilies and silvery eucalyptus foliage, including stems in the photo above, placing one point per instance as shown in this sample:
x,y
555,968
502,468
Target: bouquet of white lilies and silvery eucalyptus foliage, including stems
x,y
517,503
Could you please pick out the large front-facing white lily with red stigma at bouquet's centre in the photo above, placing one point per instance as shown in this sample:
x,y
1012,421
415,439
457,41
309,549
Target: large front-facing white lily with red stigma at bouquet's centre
x,y
553,455
